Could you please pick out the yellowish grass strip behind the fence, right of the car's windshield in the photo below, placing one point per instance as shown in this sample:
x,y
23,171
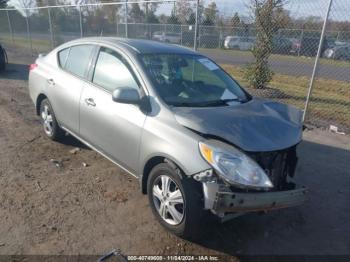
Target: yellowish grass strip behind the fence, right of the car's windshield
x,y
330,99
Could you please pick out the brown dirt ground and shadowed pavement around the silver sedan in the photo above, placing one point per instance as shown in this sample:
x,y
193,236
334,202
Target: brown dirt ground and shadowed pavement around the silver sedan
x,y
77,209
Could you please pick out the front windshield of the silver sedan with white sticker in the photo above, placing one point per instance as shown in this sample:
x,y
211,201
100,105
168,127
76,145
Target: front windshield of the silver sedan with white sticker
x,y
191,80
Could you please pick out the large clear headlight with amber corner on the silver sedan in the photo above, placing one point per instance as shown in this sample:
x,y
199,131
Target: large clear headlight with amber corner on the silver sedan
x,y
235,167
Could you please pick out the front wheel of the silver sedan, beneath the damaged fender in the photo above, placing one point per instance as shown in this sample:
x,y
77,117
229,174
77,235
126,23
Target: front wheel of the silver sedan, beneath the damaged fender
x,y
175,200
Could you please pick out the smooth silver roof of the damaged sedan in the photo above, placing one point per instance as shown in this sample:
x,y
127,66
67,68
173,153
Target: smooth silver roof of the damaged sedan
x,y
139,46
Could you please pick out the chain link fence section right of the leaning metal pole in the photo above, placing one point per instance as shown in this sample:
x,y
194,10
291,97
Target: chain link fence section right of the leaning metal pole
x,y
330,96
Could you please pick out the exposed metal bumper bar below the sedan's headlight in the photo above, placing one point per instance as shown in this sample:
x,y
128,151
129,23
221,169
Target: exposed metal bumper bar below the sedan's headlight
x,y
258,201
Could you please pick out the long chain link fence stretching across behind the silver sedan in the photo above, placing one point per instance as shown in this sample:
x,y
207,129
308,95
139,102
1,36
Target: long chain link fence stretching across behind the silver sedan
x,y
309,47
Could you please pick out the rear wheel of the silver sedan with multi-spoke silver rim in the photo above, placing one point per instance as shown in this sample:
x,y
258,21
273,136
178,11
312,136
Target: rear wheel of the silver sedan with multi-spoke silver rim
x,y
48,119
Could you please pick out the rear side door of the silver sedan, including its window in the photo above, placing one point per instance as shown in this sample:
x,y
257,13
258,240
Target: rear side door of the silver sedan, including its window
x,y
66,84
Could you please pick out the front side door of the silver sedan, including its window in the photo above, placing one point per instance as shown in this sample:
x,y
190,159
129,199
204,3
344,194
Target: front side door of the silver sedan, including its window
x,y
112,128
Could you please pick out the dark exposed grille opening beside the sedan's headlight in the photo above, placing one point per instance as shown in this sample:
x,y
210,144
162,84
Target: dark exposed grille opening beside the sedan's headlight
x,y
277,165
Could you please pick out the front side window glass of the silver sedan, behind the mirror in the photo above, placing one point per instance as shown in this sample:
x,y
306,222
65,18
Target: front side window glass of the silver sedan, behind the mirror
x,y
111,71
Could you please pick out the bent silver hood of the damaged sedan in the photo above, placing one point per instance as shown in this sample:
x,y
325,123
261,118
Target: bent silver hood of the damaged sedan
x,y
256,126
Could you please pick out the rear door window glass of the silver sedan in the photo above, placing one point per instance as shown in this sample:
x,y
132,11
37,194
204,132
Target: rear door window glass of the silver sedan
x,y
78,59
